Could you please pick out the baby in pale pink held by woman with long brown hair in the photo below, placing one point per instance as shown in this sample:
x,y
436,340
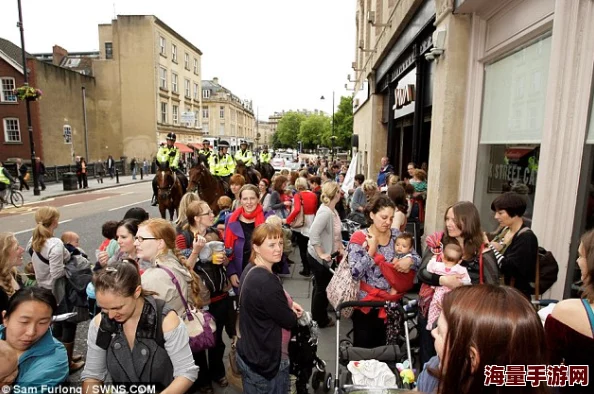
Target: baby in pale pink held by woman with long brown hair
x,y
449,265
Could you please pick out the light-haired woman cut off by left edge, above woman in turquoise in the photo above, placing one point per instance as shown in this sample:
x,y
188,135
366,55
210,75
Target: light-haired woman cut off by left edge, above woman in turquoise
x,y
11,256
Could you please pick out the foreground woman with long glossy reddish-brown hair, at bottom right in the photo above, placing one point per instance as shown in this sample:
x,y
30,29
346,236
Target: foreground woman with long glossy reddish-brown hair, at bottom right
x,y
483,327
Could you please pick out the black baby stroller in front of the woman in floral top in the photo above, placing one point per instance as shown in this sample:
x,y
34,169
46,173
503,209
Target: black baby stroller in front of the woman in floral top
x,y
393,354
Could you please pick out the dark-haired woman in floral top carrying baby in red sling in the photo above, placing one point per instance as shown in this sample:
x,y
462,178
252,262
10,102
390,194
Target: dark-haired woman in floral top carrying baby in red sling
x,y
368,250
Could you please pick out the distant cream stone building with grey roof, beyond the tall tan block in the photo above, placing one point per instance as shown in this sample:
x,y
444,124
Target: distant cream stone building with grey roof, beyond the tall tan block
x,y
226,116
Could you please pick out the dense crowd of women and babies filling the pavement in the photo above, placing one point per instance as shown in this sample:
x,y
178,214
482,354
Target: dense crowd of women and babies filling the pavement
x,y
154,281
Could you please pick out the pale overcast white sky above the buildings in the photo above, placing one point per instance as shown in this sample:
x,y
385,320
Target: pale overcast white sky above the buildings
x,y
281,54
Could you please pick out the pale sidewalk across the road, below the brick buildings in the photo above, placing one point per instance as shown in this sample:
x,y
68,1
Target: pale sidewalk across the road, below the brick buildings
x,y
57,189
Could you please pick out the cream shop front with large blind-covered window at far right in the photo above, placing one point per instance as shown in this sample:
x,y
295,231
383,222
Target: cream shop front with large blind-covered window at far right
x,y
528,126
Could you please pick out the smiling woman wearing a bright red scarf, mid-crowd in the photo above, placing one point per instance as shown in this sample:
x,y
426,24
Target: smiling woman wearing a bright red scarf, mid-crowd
x,y
239,230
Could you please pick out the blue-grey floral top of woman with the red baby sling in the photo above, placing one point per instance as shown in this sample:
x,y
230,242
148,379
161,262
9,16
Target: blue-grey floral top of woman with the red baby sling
x,y
364,268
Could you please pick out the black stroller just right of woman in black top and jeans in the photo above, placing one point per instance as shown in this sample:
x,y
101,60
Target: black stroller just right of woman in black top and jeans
x,y
303,349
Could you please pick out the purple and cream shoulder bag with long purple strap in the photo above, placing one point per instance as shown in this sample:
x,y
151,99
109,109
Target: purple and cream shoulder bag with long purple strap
x,y
200,324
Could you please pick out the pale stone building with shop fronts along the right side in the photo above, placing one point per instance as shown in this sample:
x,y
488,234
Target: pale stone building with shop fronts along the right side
x,y
495,96
